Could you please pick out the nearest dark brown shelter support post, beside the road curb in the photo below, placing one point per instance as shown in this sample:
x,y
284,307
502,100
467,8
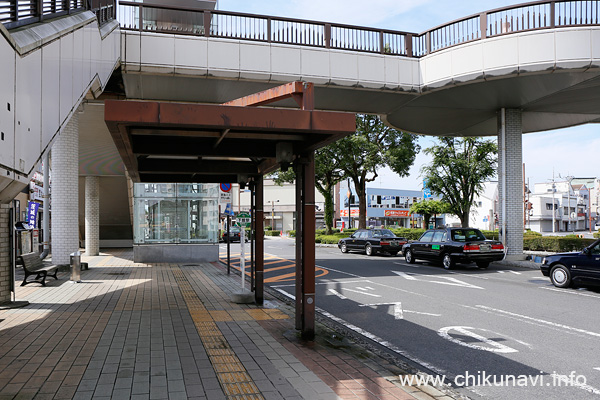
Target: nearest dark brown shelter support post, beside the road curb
x,y
305,246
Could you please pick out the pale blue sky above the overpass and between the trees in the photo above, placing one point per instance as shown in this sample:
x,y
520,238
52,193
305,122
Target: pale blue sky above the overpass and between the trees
x,y
570,151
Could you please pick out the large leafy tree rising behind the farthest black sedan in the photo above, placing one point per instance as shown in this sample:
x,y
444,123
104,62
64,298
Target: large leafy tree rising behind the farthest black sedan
x,y
374,145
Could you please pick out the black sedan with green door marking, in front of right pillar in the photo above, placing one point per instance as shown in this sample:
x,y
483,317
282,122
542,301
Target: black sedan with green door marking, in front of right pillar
x,y
454,245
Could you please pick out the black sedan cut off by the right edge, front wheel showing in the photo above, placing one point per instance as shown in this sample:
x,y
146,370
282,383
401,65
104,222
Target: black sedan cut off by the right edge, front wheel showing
x,y
566,269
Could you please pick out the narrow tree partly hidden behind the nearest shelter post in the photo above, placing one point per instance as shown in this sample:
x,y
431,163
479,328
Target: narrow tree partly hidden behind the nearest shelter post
x,y
327,175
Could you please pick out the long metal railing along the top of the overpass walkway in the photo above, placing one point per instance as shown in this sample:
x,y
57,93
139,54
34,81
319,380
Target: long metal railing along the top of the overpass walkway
x,y
532,16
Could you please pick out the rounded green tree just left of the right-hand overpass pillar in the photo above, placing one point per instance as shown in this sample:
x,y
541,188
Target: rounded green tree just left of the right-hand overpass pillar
x,y
458,170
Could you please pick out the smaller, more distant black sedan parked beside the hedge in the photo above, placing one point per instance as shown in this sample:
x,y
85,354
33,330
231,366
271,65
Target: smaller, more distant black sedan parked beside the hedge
x,y
372,241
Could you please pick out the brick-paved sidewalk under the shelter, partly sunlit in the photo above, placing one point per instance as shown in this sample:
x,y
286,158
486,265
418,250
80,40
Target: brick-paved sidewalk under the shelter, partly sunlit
x,y
168,331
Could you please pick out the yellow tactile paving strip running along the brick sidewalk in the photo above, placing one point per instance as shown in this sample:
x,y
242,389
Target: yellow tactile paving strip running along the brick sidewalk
x,y
233,377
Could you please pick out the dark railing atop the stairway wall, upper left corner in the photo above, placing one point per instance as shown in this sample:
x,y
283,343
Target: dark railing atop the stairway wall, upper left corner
x,y
16,13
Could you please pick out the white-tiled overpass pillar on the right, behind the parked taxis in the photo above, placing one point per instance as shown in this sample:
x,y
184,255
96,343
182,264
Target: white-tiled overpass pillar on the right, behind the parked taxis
x,y
510,177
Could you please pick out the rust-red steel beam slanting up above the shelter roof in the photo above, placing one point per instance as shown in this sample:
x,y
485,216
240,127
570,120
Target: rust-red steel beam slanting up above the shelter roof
x,y
302,92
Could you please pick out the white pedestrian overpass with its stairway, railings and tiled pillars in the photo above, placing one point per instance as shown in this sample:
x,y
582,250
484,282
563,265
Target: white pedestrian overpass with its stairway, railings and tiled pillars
x,y
505,72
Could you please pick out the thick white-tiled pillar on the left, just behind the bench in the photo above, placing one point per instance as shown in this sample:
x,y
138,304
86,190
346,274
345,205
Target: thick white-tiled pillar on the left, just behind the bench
x,y
65,192
